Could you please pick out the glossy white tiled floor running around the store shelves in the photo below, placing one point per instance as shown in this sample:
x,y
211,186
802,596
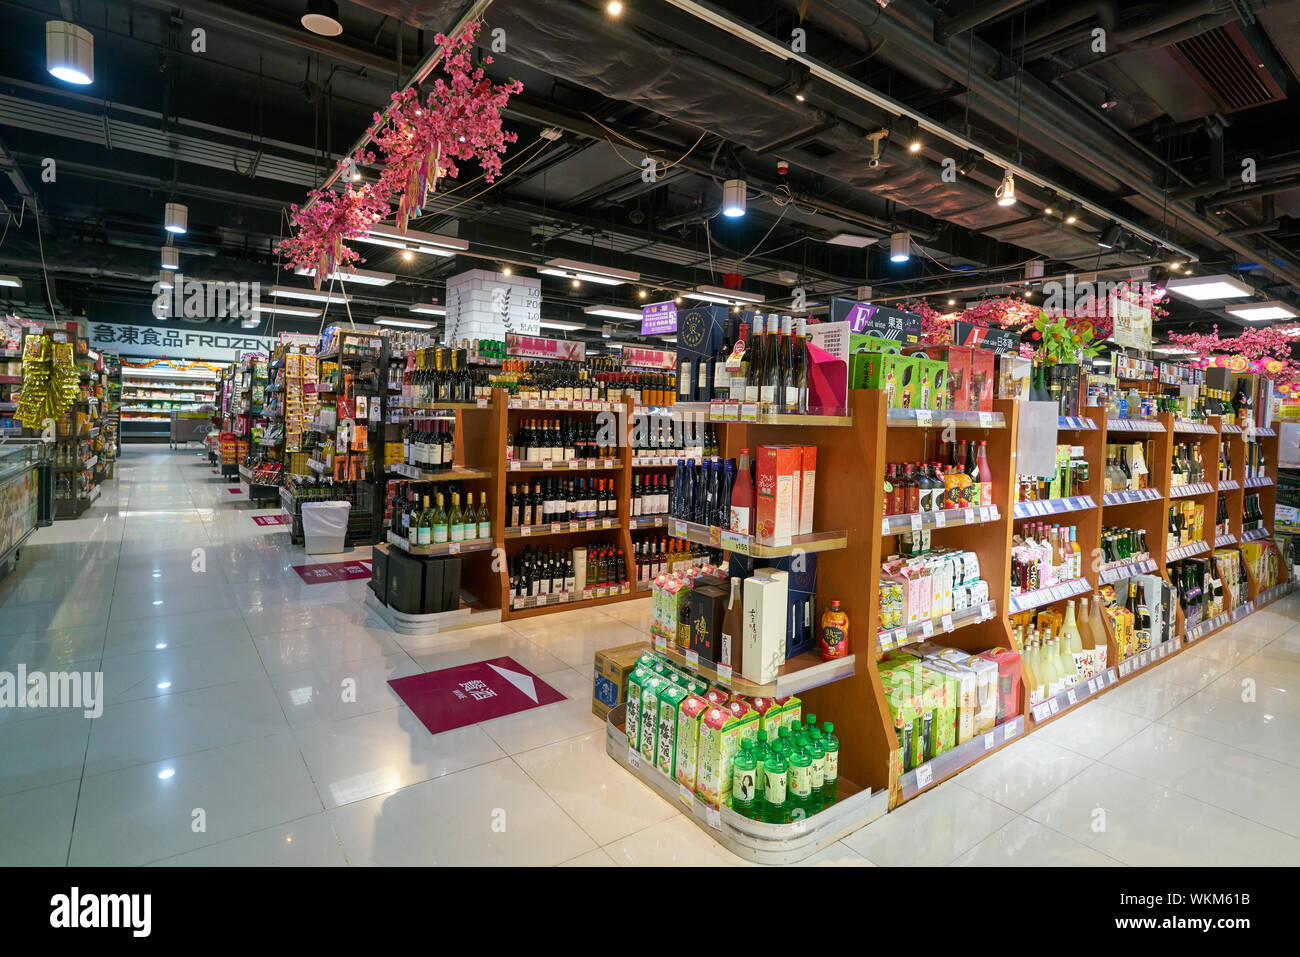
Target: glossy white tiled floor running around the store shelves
x,y
224,739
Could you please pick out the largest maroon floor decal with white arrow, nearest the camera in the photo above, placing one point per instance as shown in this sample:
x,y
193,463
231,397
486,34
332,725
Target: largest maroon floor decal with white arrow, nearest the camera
x,y
471,694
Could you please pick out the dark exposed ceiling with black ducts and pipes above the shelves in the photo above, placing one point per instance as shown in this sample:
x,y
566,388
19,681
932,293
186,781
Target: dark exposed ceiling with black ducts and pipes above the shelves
x,y
245,127
